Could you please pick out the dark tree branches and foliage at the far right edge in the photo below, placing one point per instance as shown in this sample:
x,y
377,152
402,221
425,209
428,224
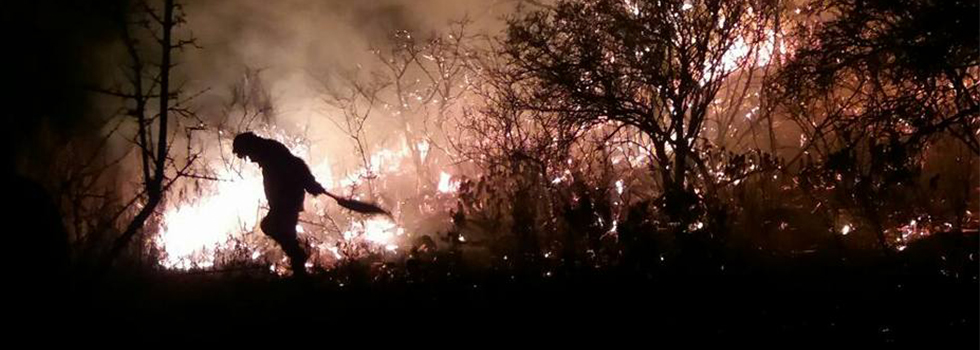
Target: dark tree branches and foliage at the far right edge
x,y
871,87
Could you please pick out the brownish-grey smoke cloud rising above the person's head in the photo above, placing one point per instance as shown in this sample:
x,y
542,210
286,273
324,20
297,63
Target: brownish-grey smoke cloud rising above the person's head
x,y
296,42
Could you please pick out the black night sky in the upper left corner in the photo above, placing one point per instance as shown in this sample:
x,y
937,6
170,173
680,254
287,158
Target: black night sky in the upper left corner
x,y
50,55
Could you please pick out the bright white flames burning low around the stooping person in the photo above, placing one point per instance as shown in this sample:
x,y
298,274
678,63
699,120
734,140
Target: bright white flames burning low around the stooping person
x,y
193,232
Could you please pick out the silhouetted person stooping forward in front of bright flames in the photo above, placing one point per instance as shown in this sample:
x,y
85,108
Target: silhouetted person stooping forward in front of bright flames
x,y
286,179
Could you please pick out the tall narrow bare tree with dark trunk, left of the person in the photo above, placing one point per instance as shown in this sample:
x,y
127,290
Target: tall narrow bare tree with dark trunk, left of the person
x,y
149,81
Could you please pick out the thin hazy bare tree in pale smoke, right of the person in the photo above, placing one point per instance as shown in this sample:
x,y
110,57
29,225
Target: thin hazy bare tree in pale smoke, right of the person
x,y
415,85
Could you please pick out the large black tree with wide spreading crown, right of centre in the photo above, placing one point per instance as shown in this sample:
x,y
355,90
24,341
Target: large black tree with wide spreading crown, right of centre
x,y
656,66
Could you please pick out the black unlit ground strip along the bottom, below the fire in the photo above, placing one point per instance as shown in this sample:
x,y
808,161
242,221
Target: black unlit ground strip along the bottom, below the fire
x,y
913,298
